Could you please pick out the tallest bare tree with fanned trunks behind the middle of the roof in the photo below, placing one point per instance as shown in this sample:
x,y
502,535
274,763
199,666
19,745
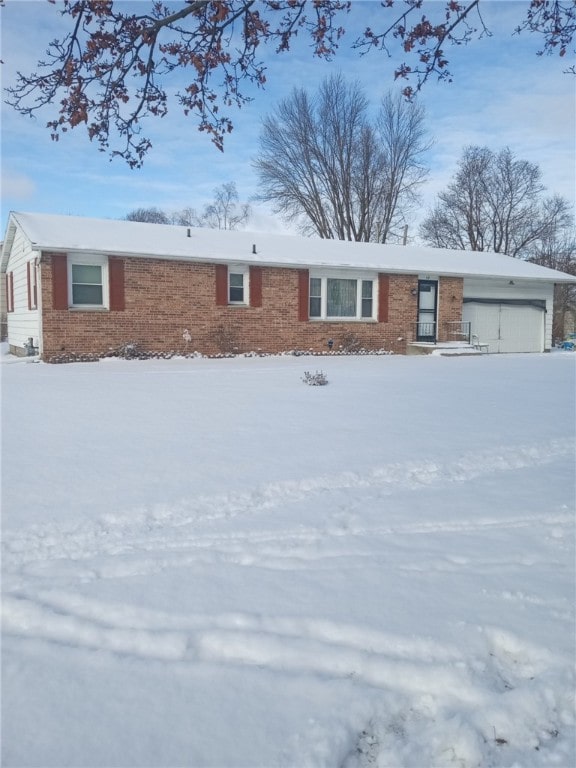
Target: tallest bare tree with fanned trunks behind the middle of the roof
x,y
327,168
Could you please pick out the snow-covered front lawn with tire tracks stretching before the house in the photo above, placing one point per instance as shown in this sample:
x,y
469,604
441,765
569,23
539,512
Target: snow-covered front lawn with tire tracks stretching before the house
x,y
209,563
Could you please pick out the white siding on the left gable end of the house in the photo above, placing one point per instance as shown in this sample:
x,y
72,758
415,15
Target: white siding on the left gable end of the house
x,y
23,323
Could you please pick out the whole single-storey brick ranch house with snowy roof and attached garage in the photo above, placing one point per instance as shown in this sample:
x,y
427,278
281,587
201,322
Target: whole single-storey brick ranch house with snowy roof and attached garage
x,y
86,287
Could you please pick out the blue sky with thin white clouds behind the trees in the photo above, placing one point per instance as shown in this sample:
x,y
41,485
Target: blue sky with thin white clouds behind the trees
x,y
502,94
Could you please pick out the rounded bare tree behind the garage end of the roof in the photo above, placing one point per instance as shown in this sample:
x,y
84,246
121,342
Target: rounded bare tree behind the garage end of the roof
x,y
495,203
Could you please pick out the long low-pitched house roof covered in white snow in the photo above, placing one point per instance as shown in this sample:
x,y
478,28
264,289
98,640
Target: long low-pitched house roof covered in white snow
x,y
127,238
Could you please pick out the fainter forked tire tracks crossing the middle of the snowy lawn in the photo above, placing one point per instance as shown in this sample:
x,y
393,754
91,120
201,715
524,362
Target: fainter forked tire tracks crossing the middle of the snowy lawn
x,y
117,534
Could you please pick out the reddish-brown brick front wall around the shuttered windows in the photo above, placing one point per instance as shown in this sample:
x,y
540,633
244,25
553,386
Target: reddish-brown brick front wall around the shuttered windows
x,y
165,298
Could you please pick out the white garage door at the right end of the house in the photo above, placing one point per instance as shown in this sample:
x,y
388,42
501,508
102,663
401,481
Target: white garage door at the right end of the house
x,y
507,327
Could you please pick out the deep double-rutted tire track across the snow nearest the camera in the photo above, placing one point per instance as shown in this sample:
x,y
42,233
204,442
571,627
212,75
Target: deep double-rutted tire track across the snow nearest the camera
x,y
284,645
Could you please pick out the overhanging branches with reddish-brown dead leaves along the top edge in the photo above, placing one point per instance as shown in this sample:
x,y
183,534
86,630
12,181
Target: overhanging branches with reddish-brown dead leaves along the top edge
x,y
112,68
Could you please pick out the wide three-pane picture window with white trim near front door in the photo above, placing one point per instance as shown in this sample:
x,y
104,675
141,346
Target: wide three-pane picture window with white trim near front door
x,y
339,297
